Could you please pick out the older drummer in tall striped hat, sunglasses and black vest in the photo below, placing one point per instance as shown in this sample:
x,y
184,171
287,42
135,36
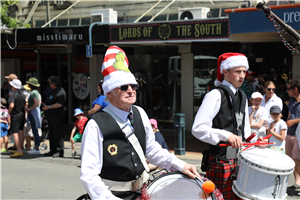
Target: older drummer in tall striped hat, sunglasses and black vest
x,y
114,153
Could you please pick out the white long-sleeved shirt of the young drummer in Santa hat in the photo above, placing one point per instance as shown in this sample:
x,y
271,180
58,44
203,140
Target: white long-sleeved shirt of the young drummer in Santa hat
x,y
202,127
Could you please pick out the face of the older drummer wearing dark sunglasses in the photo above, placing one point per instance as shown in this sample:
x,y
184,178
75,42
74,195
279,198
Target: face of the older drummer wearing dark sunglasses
x,y
122,99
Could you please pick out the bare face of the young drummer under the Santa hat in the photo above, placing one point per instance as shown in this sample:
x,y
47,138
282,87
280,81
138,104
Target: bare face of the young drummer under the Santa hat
x,y
235,76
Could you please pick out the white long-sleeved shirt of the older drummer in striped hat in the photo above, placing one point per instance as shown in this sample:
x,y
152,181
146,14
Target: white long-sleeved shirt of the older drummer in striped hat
x,y
92,154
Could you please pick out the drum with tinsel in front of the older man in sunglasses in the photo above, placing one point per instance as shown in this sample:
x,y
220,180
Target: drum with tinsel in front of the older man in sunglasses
x,y
175,185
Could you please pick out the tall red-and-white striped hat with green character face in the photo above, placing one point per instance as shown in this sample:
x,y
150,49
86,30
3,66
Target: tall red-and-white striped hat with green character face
x,y
115,69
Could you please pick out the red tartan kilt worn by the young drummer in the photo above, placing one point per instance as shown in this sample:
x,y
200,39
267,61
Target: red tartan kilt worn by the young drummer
x,y
219,172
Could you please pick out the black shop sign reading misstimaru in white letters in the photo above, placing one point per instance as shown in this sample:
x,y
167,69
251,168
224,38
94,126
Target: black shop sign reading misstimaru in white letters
x,y
62,35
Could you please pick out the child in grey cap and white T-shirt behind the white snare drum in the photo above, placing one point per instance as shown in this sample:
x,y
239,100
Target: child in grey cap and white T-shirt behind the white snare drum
x,y
278,129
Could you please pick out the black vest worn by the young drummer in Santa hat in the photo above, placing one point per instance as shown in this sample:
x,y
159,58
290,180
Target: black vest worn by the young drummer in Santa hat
x,y
225,119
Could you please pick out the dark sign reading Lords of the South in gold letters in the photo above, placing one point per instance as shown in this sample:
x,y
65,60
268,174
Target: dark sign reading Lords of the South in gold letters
x,y
174,31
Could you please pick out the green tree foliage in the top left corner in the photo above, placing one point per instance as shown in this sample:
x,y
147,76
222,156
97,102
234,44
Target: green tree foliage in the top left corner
x,y
10,22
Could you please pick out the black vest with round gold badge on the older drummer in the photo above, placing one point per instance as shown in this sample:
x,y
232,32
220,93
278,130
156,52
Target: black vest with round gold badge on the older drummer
x,y
120,160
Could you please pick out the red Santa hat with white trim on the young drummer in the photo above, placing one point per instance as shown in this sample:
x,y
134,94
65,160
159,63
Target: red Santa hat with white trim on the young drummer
x,y
230,60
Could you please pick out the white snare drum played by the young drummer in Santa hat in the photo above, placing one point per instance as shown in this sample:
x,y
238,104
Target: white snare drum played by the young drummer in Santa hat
x,y
263,174
